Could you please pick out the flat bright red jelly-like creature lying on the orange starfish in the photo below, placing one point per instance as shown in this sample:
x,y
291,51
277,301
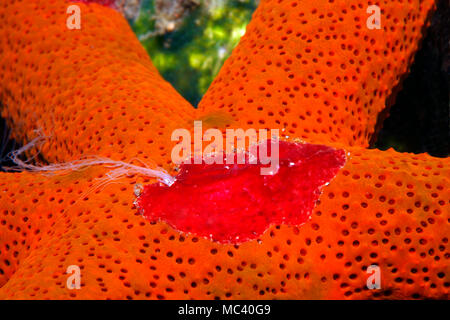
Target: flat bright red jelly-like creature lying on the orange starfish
x,y
235,203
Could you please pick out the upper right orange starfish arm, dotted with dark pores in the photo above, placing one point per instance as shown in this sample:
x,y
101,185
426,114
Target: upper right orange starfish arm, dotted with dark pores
x,y
315,70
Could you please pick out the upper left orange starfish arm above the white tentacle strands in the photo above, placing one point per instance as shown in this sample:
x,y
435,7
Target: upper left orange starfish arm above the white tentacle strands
x,y
92,91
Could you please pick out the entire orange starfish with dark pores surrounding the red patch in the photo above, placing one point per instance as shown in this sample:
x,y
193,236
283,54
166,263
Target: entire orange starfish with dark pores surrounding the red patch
x,y
382,208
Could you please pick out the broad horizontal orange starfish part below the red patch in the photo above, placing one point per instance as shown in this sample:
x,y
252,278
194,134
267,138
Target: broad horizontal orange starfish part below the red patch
x,y
386,208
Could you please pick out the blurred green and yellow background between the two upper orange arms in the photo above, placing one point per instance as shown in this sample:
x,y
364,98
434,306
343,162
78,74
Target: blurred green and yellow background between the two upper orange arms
x,y
191,56
